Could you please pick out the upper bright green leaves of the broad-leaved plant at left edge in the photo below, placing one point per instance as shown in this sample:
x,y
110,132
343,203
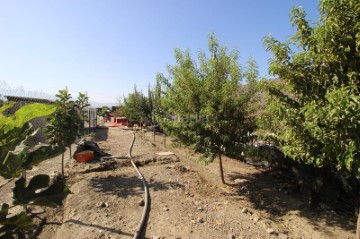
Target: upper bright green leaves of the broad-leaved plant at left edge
x,y
15,132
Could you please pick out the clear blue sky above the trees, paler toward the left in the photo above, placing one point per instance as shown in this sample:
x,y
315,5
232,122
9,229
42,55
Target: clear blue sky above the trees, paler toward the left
x,y
106,47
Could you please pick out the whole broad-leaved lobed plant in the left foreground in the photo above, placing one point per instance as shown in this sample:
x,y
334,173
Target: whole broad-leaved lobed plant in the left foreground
x,y
16,156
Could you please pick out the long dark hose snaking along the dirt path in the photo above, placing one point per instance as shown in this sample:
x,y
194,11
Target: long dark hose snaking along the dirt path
x,y
146,196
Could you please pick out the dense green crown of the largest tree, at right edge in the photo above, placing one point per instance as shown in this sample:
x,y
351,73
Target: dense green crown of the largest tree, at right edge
x,y
317,117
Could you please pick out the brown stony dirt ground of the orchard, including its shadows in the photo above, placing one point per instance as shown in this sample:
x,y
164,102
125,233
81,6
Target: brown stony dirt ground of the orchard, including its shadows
x,y
187,199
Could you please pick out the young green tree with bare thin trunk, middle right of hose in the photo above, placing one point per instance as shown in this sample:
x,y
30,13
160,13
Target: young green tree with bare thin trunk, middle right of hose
x,y
228,125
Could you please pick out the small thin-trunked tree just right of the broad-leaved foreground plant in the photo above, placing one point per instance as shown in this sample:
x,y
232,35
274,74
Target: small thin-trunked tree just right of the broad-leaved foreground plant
x,y
65,124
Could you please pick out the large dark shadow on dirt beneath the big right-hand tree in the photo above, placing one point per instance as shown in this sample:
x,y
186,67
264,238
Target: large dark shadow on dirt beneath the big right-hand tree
x,y
267,193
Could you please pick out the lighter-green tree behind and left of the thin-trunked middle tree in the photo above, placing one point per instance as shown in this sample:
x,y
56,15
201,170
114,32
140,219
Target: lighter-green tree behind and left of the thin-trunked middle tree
x,y
183,97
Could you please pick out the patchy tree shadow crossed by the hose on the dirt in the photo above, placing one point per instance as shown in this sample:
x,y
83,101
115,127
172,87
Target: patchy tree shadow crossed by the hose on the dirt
x,y
125,186
